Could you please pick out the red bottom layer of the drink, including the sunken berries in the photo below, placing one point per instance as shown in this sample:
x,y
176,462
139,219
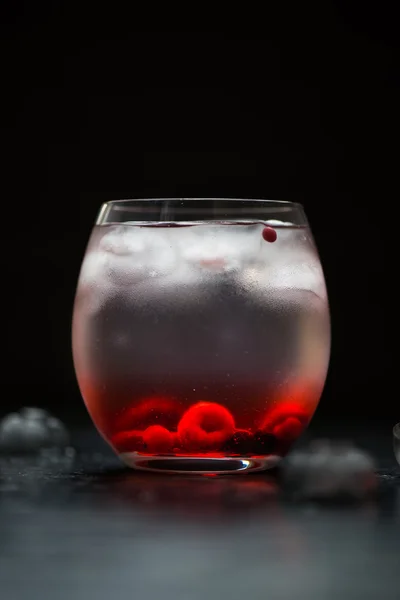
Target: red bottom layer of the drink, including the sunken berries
x,y
169,426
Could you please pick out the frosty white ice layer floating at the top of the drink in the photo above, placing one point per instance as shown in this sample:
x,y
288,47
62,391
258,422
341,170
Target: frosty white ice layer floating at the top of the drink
x,y
126,256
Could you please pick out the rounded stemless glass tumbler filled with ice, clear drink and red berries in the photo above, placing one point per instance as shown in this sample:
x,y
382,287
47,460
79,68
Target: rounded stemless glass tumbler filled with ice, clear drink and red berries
x,y
201,332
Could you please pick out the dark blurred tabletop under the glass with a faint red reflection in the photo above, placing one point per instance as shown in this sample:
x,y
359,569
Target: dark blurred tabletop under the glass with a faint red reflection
x,y
96,530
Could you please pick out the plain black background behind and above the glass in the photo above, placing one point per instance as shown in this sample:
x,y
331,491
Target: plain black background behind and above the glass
x,y
301,106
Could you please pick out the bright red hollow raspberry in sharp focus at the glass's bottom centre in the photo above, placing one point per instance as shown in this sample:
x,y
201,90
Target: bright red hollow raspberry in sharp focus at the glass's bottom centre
x,y
206,425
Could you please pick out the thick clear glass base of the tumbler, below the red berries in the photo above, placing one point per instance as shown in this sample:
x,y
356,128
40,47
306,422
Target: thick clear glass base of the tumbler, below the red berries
x,y
193,465
